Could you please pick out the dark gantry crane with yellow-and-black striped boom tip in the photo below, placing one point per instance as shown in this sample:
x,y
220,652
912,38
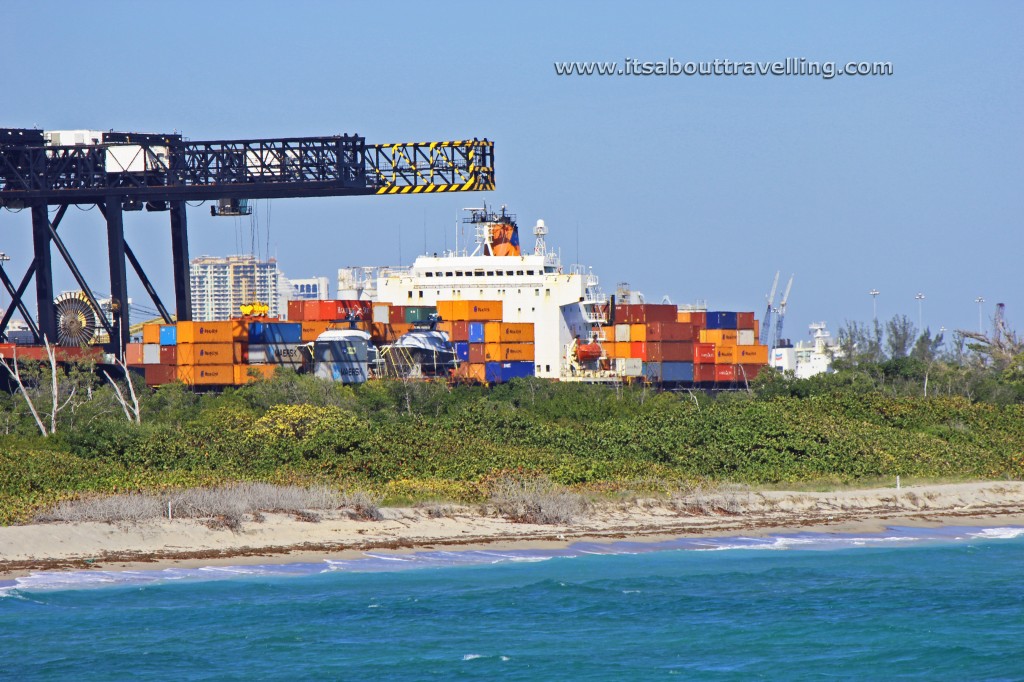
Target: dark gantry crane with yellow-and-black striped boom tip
x,y
126,172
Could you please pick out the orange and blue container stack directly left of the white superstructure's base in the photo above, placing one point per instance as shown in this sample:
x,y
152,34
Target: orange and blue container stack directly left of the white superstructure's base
x,y
489,351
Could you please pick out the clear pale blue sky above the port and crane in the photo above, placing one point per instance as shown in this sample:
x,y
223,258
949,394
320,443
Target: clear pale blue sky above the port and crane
x,y
693,188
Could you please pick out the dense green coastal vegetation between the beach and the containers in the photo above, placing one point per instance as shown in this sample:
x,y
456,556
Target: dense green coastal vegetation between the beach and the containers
x,y
419,441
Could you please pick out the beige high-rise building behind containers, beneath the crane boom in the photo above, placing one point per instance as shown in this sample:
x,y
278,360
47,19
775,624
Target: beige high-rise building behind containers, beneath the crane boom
x,y
222,285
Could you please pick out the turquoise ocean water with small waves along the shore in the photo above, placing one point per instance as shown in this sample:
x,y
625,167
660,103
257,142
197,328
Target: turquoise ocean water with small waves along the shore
x,y
907,604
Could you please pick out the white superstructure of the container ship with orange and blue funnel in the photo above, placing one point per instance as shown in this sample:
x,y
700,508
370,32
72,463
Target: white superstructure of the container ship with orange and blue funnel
x,y
533,288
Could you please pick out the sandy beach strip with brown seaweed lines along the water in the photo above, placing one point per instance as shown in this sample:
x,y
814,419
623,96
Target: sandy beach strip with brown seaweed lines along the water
x,y
286,539
